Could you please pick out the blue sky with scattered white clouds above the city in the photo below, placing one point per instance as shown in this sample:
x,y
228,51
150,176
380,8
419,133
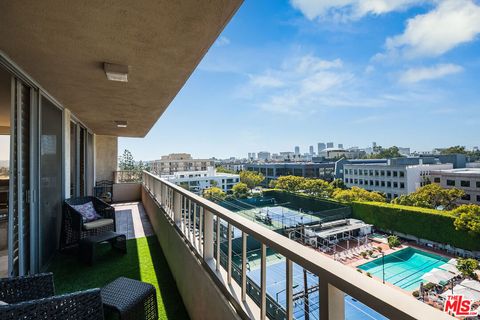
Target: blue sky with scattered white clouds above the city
x,y
286,73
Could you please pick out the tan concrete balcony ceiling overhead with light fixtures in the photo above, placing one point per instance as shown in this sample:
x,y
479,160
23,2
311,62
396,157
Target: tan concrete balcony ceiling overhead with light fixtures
x,y
63,45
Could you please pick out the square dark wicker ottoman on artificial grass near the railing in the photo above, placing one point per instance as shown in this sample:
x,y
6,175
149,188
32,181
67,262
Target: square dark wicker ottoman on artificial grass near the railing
x,y
131,299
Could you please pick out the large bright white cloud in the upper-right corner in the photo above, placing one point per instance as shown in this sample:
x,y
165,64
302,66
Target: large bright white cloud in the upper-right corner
x,y
450,24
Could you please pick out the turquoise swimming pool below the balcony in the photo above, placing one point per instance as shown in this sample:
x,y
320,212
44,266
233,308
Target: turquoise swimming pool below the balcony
x,y
405,267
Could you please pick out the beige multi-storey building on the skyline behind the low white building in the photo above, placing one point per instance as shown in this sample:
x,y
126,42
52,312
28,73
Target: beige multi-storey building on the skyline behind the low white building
x,y
176,162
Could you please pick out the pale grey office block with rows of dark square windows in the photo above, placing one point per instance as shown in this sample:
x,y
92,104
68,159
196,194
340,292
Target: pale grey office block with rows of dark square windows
x,y
395,178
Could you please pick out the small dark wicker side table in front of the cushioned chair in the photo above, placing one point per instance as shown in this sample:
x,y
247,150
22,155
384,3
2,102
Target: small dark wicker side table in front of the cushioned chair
x,y
88,244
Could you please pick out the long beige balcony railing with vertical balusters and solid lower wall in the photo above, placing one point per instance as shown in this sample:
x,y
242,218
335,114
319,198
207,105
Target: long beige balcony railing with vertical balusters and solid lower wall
x,y
213,281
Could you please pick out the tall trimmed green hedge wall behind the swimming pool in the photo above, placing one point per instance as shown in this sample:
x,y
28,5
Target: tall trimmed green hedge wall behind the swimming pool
x,y
423,223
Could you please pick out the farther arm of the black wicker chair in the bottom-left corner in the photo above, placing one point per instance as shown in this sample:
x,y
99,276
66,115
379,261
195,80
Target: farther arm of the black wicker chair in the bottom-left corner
x,y
20,289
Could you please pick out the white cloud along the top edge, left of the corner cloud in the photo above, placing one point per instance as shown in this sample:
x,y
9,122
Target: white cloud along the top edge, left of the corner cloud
x,y
350,9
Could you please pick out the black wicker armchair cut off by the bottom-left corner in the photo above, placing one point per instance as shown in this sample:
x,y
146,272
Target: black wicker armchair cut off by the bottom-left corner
x,y
33,297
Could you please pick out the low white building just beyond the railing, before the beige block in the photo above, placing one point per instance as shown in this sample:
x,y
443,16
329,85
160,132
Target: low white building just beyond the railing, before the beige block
x,y
197,181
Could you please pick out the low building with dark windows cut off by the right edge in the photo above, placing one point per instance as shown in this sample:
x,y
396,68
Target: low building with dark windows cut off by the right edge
x,y
466,179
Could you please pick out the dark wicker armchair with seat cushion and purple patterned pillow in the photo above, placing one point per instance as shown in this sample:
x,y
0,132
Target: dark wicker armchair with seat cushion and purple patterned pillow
x,y
73,227
